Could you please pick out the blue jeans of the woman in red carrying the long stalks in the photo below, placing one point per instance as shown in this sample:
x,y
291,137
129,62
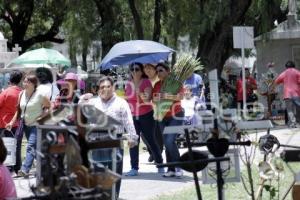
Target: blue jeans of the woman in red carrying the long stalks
x,y
172,152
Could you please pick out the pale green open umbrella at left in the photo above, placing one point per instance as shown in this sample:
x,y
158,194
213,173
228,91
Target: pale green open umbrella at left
x,y
42,56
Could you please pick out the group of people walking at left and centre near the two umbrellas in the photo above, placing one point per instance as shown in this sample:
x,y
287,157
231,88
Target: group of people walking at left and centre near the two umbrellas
x,y
31,96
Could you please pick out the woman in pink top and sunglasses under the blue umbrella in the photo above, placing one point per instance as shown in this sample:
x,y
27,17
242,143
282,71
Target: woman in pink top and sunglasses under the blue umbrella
x,y
138,92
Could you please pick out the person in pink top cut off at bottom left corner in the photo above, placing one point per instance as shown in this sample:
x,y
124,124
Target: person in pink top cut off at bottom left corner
x,y
7,186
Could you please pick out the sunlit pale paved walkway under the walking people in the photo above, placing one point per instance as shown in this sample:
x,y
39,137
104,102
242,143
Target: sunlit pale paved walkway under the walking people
x,y
149,184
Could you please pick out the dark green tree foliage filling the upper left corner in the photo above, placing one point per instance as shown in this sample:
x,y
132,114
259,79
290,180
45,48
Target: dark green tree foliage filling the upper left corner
x,y
31,21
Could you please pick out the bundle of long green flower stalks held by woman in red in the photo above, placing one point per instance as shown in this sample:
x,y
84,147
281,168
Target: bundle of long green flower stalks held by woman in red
x,y
182,70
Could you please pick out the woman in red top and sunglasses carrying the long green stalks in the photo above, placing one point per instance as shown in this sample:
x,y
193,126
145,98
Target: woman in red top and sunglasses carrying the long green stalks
x,y
174,117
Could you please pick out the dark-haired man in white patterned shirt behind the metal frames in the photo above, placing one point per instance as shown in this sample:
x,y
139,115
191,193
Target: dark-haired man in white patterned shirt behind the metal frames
x,y
113,106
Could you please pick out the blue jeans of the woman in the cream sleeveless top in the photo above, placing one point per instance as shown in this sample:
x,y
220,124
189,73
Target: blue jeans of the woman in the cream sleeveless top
x,y
31,136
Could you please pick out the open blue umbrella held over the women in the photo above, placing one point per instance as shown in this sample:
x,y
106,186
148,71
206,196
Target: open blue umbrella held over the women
x,y
143,51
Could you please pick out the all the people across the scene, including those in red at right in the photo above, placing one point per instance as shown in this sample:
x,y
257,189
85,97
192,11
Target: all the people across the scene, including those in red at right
x,y
22,106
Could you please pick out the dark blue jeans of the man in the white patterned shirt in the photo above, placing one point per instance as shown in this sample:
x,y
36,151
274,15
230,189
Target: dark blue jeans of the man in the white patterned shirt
x,y
104,157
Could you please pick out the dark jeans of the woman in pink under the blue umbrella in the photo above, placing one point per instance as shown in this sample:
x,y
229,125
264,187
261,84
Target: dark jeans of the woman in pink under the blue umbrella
x,y
145,124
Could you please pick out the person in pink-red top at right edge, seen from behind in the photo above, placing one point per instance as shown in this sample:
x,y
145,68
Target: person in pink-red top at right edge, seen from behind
x,y
290,78
